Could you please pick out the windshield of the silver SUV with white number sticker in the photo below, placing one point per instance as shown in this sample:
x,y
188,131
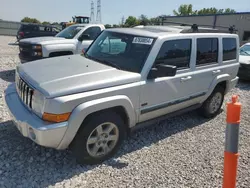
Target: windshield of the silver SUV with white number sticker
x,y
123,51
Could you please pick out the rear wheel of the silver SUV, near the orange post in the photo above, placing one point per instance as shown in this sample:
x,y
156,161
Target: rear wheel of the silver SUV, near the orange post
x,y
212,106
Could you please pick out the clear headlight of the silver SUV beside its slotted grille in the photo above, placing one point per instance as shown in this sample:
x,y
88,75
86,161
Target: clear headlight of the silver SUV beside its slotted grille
x,y
38,102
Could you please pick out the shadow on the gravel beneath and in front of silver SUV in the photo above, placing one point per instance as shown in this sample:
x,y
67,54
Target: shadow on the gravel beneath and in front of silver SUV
x,y
24,163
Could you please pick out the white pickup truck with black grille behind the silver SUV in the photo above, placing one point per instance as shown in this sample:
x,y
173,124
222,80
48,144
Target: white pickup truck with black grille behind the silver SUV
x,y
71,40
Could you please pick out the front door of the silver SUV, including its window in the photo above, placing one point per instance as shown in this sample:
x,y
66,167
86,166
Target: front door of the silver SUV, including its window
x,y
167,94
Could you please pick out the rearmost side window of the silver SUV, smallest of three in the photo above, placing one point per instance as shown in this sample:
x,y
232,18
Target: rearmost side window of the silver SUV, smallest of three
x,y
229,49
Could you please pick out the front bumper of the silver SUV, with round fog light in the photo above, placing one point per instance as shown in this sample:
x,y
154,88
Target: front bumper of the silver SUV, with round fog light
x,y
31,126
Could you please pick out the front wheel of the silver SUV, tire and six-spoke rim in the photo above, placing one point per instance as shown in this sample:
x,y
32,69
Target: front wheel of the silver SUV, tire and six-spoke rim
x,y
84,148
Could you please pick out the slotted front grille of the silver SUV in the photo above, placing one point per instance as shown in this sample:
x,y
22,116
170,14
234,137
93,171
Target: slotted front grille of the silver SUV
x,y
24,91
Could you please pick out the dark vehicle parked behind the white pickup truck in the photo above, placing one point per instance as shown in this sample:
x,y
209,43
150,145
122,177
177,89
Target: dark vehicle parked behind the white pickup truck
x,y
34,30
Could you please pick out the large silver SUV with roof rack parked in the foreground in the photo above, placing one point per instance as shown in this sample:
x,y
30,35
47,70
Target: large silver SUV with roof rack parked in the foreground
x,y
90,102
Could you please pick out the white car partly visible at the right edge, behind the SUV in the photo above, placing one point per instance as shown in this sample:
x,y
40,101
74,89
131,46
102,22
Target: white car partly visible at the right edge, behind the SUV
x,y
244,59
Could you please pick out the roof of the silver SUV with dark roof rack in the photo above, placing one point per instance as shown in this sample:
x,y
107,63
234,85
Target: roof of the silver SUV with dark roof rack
x,y
157,31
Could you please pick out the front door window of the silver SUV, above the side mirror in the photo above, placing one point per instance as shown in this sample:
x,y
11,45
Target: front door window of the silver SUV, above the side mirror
x,y
175,52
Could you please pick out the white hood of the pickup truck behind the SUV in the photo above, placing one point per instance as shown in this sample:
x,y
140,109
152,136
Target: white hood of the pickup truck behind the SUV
x,y
47,40
